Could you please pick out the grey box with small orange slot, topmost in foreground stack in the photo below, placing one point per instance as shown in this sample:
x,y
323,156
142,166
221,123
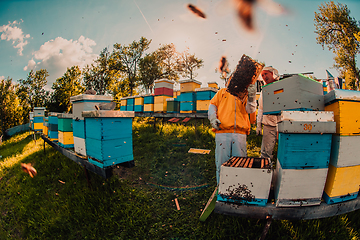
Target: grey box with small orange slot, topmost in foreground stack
x,y
293,93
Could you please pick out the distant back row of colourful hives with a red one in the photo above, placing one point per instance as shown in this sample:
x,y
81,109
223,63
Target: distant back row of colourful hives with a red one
x,y
189,99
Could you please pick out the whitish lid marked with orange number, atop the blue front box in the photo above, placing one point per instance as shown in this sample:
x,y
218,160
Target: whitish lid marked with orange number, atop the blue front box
x,y
313,116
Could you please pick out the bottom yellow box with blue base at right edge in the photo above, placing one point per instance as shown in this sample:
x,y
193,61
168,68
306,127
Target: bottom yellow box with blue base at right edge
x,y
342,184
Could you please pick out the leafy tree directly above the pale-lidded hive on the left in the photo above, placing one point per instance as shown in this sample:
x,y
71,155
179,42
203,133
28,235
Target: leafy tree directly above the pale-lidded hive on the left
x,y
102,75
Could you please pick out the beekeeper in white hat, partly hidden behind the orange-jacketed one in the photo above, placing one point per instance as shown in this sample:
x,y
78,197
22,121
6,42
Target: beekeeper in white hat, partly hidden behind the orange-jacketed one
x,y
267,124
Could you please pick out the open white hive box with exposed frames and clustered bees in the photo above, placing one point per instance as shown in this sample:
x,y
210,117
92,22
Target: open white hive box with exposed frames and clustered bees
x,y
245,180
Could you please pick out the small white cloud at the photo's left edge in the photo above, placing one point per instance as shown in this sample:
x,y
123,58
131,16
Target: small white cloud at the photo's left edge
x,y
12,33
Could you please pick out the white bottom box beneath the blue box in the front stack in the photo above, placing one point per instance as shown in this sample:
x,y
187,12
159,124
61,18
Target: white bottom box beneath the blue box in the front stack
x,y
299,187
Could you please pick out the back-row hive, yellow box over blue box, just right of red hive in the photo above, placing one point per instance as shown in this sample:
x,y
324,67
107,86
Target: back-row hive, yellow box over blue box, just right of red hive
x,y
187,96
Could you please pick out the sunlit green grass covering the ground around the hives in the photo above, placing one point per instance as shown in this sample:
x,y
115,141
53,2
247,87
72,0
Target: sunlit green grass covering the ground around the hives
x,y
135,203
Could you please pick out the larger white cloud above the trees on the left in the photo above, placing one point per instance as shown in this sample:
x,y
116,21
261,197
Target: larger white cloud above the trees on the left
x,y
59,54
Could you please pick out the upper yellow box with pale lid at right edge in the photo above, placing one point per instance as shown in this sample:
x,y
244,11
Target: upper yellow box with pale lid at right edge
x,y
344,104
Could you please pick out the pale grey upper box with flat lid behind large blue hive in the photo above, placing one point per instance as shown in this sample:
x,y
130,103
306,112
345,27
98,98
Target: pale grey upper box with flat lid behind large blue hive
x,y
86,102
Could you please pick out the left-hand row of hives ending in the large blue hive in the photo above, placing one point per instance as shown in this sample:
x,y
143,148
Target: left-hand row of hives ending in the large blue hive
x,y
103,136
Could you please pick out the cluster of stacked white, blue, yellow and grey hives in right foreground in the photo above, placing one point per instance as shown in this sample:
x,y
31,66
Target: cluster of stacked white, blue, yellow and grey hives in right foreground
x,y
317,148
